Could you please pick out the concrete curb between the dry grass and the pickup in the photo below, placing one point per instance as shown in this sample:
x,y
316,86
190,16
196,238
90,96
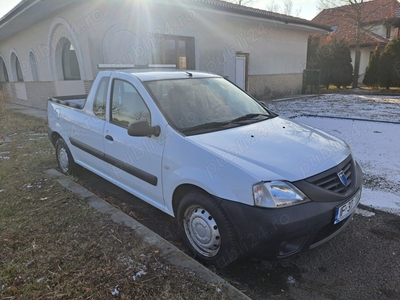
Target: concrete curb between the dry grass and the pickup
x,y
167,251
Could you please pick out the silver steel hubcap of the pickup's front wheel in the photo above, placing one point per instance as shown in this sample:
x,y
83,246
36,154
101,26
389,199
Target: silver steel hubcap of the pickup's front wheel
x,y
202,231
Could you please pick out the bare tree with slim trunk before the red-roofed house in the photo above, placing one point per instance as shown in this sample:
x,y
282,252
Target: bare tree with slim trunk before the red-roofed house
x,y
352,10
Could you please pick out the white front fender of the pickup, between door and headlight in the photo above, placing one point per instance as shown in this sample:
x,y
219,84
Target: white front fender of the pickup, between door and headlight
x,y
187,163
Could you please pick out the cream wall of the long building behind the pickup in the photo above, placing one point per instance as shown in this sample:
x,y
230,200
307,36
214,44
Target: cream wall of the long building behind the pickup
x,y
128,33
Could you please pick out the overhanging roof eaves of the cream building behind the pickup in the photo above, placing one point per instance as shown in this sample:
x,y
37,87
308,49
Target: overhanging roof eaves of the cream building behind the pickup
x,y
12,22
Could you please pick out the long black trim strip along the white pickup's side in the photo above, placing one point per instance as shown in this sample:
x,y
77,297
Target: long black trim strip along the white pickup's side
x,y
147,177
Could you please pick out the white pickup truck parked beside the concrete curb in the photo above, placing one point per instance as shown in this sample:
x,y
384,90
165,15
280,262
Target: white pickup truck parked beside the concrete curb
x,y
239,179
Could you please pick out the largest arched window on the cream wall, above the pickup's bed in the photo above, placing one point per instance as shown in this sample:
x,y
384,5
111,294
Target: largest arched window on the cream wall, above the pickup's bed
x,y
67,60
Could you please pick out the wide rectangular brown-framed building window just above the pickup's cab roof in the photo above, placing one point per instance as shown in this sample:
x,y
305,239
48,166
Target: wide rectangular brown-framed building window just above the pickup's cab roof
x,y
175,50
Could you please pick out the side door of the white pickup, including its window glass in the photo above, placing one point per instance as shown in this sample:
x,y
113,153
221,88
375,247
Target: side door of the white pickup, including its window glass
x,y
134,162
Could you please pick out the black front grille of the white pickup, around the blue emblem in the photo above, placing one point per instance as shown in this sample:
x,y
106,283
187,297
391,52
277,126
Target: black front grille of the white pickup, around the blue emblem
x,y
330,180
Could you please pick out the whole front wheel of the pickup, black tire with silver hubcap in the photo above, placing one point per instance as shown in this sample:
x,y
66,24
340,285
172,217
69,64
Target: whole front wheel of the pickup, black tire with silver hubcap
x,y
206,230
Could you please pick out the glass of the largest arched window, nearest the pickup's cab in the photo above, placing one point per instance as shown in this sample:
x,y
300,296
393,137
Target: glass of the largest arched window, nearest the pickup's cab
x,y
69,61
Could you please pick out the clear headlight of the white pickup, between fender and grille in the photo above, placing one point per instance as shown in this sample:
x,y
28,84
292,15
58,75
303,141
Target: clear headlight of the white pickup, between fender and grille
x,y
277,194
